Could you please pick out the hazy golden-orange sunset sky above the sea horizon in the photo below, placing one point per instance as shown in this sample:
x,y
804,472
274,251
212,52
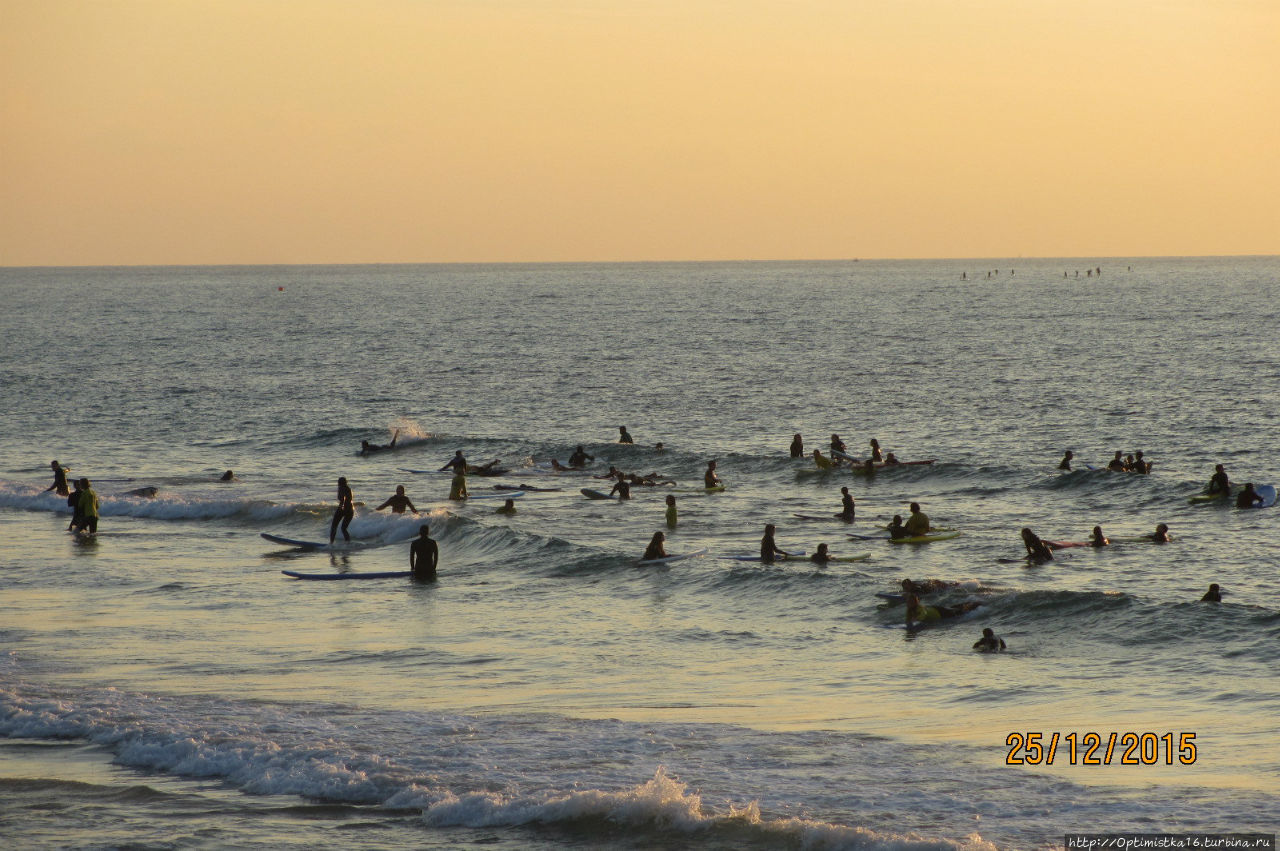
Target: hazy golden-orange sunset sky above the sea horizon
x,y
148,132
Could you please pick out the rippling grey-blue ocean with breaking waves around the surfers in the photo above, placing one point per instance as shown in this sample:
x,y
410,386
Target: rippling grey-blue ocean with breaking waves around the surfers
x,y
164,685
